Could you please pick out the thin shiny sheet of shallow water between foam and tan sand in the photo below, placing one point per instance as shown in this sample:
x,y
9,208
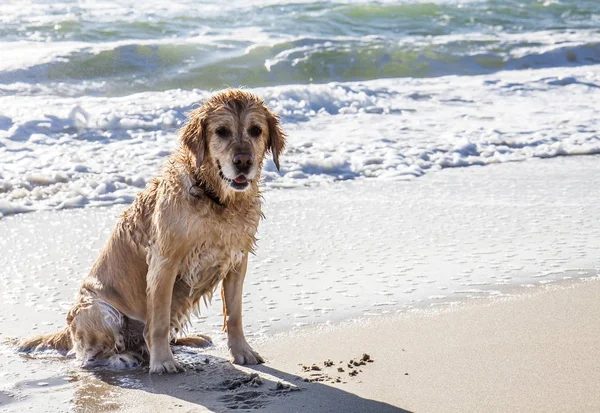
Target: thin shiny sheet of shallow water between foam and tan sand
x,y
360,249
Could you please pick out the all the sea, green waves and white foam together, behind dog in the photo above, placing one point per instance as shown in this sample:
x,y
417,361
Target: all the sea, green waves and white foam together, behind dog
x,y
92,93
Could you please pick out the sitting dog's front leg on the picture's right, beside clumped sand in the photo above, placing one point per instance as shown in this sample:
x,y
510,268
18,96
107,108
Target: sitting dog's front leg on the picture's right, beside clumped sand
x,y
240,350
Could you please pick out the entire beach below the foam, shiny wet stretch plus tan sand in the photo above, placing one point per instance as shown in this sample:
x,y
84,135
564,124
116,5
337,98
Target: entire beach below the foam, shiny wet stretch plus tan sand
x,y
458,317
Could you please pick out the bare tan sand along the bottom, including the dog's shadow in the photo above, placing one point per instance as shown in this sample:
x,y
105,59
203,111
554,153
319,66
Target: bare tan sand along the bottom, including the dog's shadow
x,y
535,351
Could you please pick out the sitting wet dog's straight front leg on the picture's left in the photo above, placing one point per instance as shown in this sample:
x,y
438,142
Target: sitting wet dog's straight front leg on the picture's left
x,y
159,292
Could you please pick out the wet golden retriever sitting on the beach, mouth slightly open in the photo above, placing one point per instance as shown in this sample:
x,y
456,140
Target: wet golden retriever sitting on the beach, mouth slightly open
x,y
190,229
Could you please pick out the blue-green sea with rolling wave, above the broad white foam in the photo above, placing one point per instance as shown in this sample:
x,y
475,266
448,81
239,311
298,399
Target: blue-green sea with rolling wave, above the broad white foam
x,y
112,48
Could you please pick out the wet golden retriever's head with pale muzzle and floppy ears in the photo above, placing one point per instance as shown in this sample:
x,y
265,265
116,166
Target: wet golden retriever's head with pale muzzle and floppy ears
x,y
232,132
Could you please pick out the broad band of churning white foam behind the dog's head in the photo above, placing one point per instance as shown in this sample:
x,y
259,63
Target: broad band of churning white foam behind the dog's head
x,y
71,152
